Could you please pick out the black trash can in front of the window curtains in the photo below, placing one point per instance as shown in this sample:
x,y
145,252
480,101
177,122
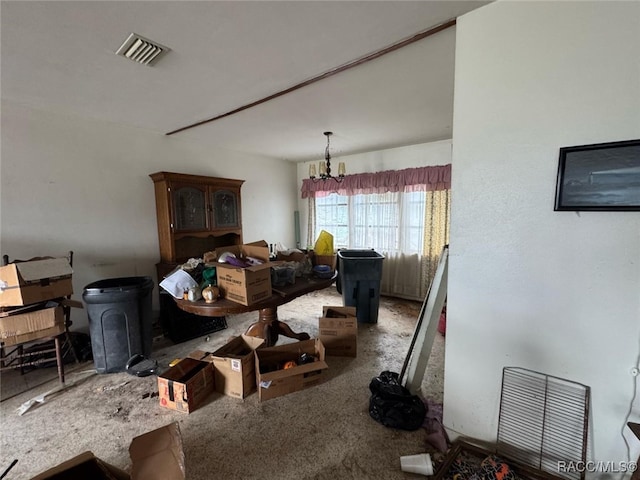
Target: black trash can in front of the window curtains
x,y
359,275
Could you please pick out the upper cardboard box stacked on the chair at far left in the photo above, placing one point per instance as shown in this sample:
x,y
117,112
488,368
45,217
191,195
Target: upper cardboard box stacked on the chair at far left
x,y
24,283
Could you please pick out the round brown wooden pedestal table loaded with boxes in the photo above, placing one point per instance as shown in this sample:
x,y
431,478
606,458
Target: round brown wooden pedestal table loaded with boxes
x,y
268,326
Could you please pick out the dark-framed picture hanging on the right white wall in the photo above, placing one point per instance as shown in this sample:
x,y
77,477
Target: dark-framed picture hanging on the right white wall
x,y
601,177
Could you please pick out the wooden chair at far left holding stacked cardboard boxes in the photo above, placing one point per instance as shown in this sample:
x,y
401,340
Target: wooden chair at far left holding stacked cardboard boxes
x,y
17,358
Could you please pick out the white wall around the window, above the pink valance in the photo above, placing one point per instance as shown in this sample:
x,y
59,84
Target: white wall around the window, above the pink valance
x,y
425,154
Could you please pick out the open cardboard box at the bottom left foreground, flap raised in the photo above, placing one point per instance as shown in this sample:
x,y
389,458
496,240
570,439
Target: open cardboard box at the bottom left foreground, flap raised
x,y
156,454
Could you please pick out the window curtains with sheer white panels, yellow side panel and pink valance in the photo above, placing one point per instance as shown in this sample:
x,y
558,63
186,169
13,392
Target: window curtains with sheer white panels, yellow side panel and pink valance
x,y
402,214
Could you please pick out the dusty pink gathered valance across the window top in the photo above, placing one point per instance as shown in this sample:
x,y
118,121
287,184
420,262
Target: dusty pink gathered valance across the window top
x,y
408,180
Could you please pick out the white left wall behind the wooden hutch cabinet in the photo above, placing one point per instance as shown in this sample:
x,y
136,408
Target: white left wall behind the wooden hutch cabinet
x,y
76,184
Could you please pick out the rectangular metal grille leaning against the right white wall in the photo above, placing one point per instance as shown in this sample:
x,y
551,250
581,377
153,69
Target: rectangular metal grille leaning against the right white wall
x,y
543,421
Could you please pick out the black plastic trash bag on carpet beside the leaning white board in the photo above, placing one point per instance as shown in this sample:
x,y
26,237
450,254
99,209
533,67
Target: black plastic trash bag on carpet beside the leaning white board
x,y
393,405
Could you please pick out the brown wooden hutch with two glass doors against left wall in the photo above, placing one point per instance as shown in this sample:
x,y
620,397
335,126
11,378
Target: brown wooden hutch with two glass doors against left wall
x,y
195,214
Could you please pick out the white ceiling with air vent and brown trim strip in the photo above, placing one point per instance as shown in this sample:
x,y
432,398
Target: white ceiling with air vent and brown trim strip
x,y
60,56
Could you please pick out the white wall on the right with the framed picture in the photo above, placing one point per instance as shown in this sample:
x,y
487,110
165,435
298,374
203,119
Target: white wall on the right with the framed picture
x,y
556,292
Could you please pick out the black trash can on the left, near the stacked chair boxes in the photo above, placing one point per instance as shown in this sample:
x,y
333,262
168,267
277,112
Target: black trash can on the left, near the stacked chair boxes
x,y
119,311
